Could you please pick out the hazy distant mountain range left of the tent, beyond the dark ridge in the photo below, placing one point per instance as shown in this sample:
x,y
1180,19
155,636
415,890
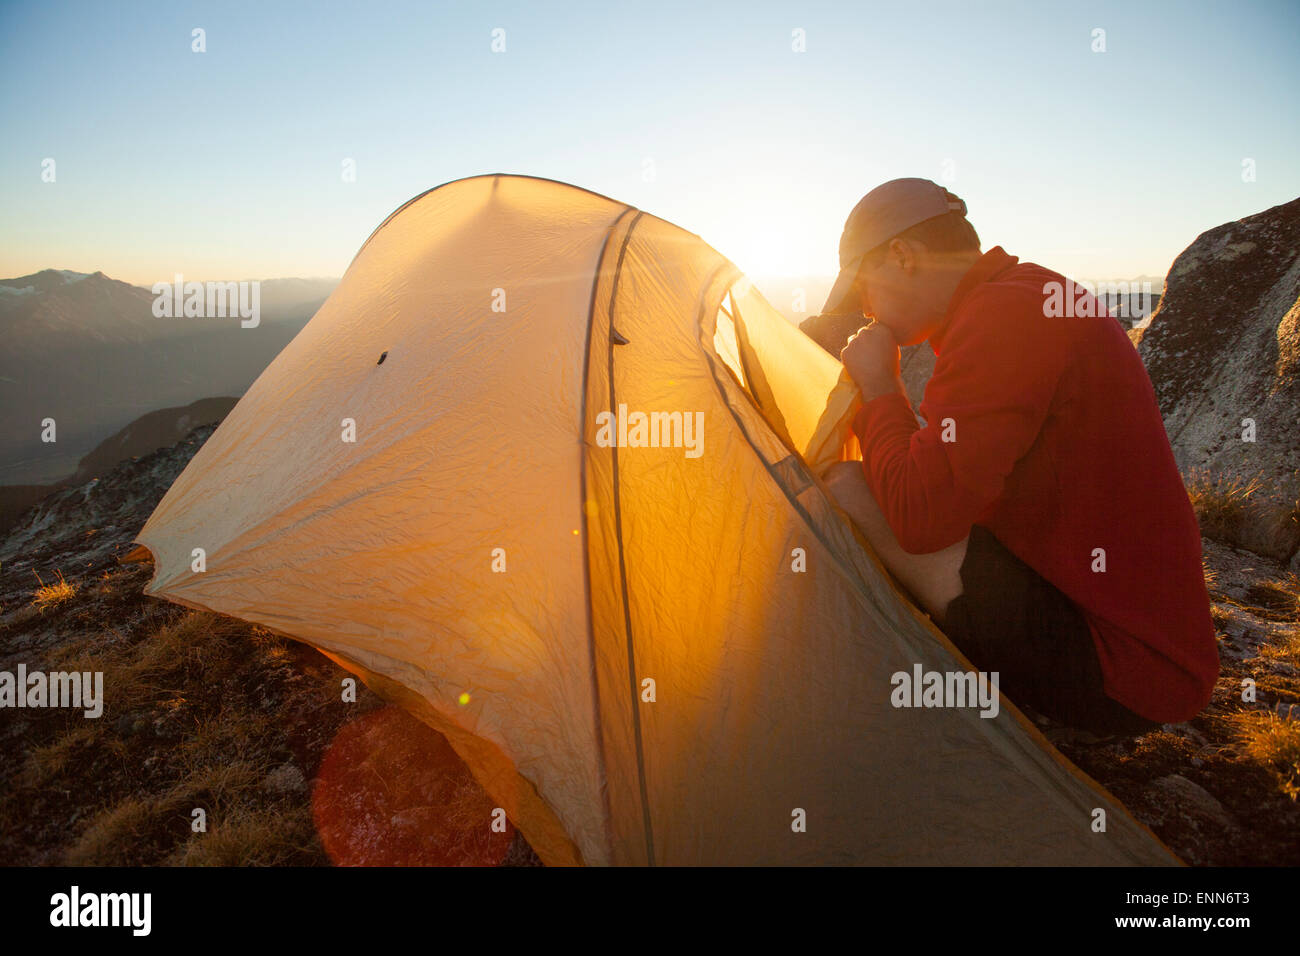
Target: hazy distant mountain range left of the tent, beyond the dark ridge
x,y
89,353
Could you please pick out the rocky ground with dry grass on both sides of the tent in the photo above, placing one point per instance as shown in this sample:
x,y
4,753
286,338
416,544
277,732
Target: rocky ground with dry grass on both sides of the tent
x,y
206,713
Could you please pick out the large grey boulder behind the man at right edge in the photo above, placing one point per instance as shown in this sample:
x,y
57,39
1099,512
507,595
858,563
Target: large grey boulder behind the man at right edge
x,y
1224,351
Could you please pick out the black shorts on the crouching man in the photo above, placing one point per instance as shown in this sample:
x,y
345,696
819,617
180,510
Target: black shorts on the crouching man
x,y
1012,621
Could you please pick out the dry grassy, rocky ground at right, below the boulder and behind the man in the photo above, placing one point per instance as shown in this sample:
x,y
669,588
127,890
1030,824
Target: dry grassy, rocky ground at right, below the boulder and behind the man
x,y
1221,790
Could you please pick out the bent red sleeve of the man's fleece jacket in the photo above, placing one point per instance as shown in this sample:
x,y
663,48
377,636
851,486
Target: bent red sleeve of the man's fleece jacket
x,y
987,400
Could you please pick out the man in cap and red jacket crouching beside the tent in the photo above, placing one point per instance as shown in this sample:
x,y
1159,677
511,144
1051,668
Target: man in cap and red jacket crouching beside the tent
x,y
1038,516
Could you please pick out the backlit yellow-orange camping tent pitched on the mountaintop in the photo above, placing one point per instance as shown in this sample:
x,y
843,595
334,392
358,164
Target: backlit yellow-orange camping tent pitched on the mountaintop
x,y
545,470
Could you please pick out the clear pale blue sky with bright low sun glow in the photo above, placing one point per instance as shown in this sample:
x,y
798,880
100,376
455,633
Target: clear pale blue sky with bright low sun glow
x,y
228,165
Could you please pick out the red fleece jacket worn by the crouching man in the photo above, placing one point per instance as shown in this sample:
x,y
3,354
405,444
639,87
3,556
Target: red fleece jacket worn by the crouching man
x,y
1058,447
